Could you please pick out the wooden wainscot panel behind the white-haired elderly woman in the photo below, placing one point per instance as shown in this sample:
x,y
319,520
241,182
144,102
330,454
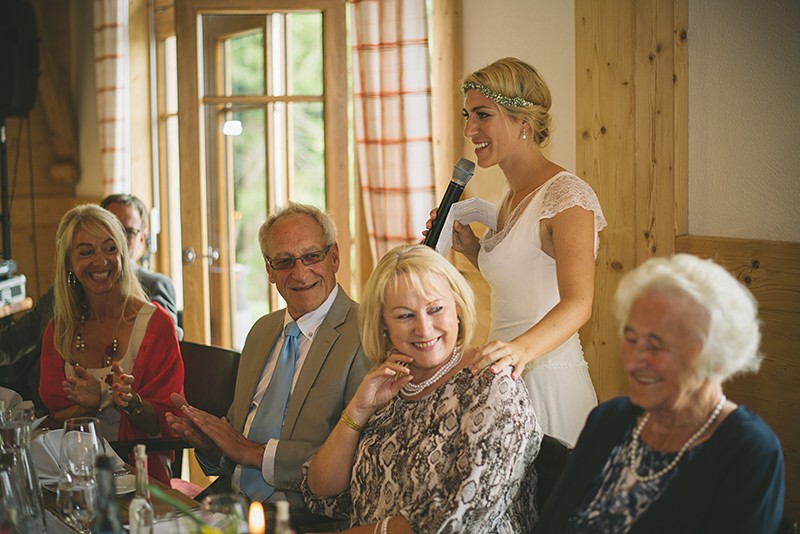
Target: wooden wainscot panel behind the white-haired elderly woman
x,y
771,270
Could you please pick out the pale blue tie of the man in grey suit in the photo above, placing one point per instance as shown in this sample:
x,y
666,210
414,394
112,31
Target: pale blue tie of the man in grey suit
x,y
268,420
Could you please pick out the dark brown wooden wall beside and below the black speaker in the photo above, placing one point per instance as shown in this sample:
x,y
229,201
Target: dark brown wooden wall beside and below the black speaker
x,y
42,153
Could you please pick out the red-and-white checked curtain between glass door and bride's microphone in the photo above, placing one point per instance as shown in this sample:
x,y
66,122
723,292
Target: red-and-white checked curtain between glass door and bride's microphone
x,y
392,97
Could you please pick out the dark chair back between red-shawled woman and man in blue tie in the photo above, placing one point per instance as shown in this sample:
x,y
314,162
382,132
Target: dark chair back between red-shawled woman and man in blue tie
x,y
209,376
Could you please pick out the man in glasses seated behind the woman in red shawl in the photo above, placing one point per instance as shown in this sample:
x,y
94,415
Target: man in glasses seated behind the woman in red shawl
x,y
21,341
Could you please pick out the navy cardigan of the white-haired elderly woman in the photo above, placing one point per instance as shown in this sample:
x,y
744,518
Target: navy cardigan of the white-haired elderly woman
x,y
734,482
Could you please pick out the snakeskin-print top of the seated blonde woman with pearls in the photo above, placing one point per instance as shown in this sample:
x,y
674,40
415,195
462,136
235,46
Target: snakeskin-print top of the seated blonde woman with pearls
x,y
459,460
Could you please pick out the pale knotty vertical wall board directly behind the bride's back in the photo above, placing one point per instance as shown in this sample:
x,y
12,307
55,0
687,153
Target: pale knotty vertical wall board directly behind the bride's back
x,y
605,115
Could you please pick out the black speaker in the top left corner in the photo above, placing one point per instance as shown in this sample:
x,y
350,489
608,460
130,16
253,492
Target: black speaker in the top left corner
x,y
19,58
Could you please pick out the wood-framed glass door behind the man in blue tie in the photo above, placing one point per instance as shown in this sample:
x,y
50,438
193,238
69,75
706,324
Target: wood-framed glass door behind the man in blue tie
x,y
264,123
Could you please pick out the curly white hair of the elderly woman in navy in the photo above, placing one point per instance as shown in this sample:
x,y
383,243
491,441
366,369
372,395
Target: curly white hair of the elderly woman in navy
x,y
732,337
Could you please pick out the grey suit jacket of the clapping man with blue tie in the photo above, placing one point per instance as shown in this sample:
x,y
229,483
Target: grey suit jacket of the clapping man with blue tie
x,y
333,369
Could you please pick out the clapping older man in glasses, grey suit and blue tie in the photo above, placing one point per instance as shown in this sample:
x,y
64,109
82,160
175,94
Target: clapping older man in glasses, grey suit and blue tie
x,y
302,258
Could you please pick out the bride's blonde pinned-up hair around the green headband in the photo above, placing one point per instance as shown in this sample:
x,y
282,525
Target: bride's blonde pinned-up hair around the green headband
x,y
512,77
